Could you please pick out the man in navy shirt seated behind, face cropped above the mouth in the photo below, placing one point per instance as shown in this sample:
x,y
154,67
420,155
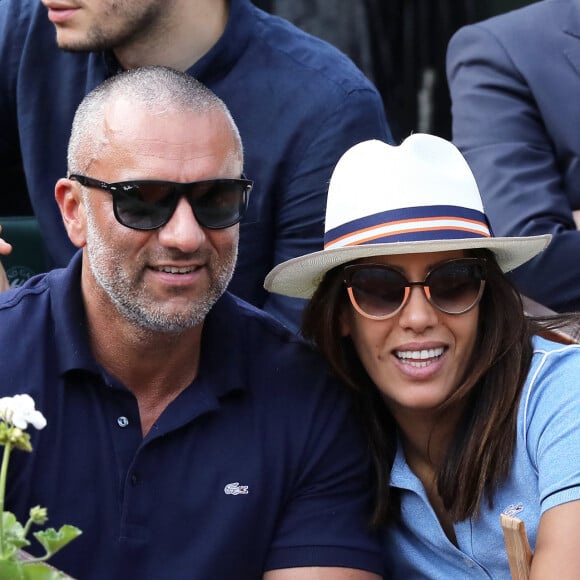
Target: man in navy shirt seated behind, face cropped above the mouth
x,y
298,103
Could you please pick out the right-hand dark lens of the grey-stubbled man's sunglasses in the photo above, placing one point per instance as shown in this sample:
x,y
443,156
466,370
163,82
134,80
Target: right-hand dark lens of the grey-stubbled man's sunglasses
x,y
219,204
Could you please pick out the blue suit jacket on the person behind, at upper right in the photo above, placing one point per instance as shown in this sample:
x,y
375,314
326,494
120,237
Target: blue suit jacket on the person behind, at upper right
x,y
515,89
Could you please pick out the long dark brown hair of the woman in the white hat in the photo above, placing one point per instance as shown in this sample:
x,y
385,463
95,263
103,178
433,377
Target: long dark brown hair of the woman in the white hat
x,y
480,454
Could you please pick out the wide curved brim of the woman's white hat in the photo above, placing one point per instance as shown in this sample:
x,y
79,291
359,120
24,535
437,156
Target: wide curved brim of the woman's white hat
x,y
299,277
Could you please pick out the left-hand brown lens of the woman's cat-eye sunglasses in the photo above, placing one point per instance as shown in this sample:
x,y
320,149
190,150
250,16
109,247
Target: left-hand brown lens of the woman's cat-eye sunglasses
x,y
377,291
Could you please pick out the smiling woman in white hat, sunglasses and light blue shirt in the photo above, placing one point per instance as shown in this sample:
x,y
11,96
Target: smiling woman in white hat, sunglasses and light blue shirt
x,y
469,411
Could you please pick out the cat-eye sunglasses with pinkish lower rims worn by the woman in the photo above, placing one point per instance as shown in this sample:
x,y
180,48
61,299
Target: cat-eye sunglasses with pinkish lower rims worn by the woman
x,y
378,292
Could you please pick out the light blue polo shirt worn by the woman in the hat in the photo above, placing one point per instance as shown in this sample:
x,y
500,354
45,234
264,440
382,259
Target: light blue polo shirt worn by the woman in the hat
x,y
545,473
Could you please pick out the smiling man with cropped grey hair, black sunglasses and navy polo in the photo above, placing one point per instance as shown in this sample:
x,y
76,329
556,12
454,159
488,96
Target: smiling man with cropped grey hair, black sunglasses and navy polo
x,y
189,435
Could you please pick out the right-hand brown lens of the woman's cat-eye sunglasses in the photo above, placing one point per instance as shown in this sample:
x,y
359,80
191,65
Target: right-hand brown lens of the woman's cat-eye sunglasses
x,y
457,286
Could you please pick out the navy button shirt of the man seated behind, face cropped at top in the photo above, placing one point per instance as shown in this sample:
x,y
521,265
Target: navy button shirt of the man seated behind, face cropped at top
x,y
299,104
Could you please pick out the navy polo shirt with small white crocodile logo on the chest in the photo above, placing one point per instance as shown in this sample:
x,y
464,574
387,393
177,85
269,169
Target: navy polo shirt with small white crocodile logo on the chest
x,y
257,465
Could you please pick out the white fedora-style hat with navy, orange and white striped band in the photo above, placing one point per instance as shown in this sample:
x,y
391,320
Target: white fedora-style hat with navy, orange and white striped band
x,y
382,200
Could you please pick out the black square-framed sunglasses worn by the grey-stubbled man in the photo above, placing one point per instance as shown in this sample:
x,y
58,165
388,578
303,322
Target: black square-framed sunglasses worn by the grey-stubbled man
x,y
148,205
